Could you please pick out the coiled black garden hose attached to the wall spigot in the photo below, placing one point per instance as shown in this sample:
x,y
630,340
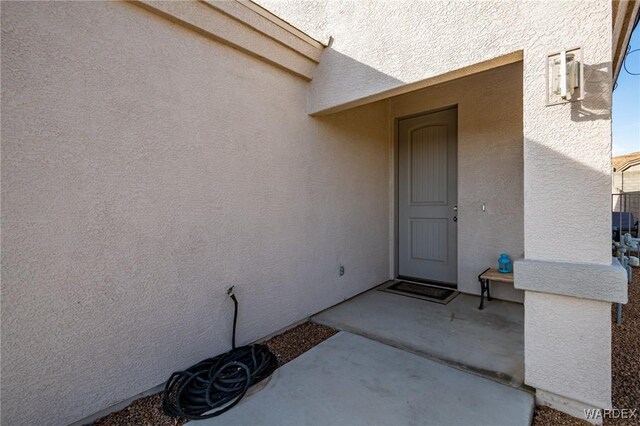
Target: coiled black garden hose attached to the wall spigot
x,y
217,383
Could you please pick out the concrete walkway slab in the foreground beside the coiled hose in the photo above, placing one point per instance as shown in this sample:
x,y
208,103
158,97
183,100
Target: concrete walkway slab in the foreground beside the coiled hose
x,y
352,380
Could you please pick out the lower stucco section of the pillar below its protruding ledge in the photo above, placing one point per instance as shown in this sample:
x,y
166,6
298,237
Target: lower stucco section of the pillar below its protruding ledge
x,y
560,334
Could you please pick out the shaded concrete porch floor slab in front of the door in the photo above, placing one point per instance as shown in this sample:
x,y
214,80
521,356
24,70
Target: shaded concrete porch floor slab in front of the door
x,y
489,342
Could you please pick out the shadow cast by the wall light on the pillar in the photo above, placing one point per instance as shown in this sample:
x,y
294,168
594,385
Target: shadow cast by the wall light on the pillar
x,y
596,104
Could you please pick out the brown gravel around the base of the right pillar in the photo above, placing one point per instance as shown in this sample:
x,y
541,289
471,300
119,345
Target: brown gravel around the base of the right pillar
x,y
625,366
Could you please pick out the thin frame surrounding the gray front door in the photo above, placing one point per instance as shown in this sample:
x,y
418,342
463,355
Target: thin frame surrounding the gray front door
x,y
396,189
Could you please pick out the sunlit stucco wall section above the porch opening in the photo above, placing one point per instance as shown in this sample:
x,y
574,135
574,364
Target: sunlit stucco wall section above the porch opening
x,y
378,45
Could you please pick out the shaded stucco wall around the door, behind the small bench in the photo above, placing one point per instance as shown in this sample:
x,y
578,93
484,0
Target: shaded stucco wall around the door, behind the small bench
x,y
490,167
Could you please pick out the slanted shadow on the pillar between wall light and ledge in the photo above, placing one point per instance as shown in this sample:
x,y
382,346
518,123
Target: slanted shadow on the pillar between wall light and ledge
x,y
568,204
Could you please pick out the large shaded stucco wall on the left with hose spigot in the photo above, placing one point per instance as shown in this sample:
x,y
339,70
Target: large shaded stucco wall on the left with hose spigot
x,y
144,170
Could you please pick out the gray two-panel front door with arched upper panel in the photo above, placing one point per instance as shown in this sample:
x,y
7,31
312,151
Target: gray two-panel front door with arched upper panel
x,y
428,197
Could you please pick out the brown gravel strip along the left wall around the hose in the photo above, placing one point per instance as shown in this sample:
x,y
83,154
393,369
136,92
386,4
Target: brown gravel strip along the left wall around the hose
x,y
286,346
